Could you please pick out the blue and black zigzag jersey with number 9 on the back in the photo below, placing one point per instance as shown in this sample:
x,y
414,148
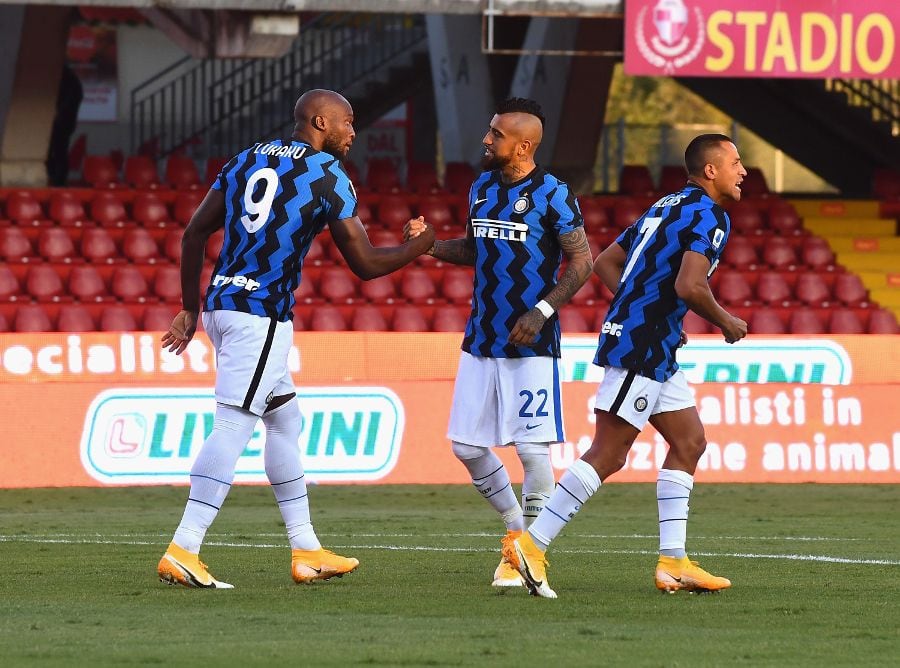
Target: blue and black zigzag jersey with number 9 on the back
x,y
278,196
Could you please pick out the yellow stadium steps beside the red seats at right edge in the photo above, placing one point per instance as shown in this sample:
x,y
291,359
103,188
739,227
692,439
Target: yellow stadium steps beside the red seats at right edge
x,y
863,242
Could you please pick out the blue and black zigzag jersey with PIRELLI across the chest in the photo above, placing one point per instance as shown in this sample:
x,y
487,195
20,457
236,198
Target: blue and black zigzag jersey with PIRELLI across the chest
x,y
517,258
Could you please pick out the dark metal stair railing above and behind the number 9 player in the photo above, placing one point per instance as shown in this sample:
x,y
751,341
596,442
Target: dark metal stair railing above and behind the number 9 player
x,y
218,107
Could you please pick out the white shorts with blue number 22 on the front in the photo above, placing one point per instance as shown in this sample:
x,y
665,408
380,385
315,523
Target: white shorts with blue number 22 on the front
x,y
500,401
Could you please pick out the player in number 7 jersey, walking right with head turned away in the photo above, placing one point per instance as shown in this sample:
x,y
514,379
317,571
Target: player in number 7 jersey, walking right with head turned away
x,y
657,268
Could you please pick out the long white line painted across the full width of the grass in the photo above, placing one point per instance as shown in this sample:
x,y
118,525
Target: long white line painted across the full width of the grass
x,y
428,548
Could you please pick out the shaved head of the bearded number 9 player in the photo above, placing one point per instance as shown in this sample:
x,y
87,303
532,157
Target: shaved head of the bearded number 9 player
x,y
324,120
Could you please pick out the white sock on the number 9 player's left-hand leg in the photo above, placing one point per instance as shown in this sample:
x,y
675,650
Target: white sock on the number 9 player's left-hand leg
x,y
212,473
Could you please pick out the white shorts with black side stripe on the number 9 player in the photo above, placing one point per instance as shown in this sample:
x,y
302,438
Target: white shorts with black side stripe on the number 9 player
x,y
251,358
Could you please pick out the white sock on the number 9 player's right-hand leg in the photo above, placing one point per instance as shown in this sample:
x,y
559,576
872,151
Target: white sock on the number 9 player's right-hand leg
x,y
285,473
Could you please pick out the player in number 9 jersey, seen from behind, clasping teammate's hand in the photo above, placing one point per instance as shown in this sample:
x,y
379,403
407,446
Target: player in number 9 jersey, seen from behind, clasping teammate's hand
x,y
272,199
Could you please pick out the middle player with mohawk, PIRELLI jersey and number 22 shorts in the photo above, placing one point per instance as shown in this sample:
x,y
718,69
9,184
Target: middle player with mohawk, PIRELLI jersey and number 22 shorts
x,y
522,220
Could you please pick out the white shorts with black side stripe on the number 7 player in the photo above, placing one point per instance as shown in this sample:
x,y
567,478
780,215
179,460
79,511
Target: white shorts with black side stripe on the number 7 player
x,y
634,398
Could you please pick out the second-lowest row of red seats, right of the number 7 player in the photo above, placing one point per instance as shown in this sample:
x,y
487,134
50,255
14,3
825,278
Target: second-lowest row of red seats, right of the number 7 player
x,y
738,288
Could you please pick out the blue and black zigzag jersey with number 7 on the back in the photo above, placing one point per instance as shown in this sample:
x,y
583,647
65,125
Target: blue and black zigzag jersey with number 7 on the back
x,y
642,329
